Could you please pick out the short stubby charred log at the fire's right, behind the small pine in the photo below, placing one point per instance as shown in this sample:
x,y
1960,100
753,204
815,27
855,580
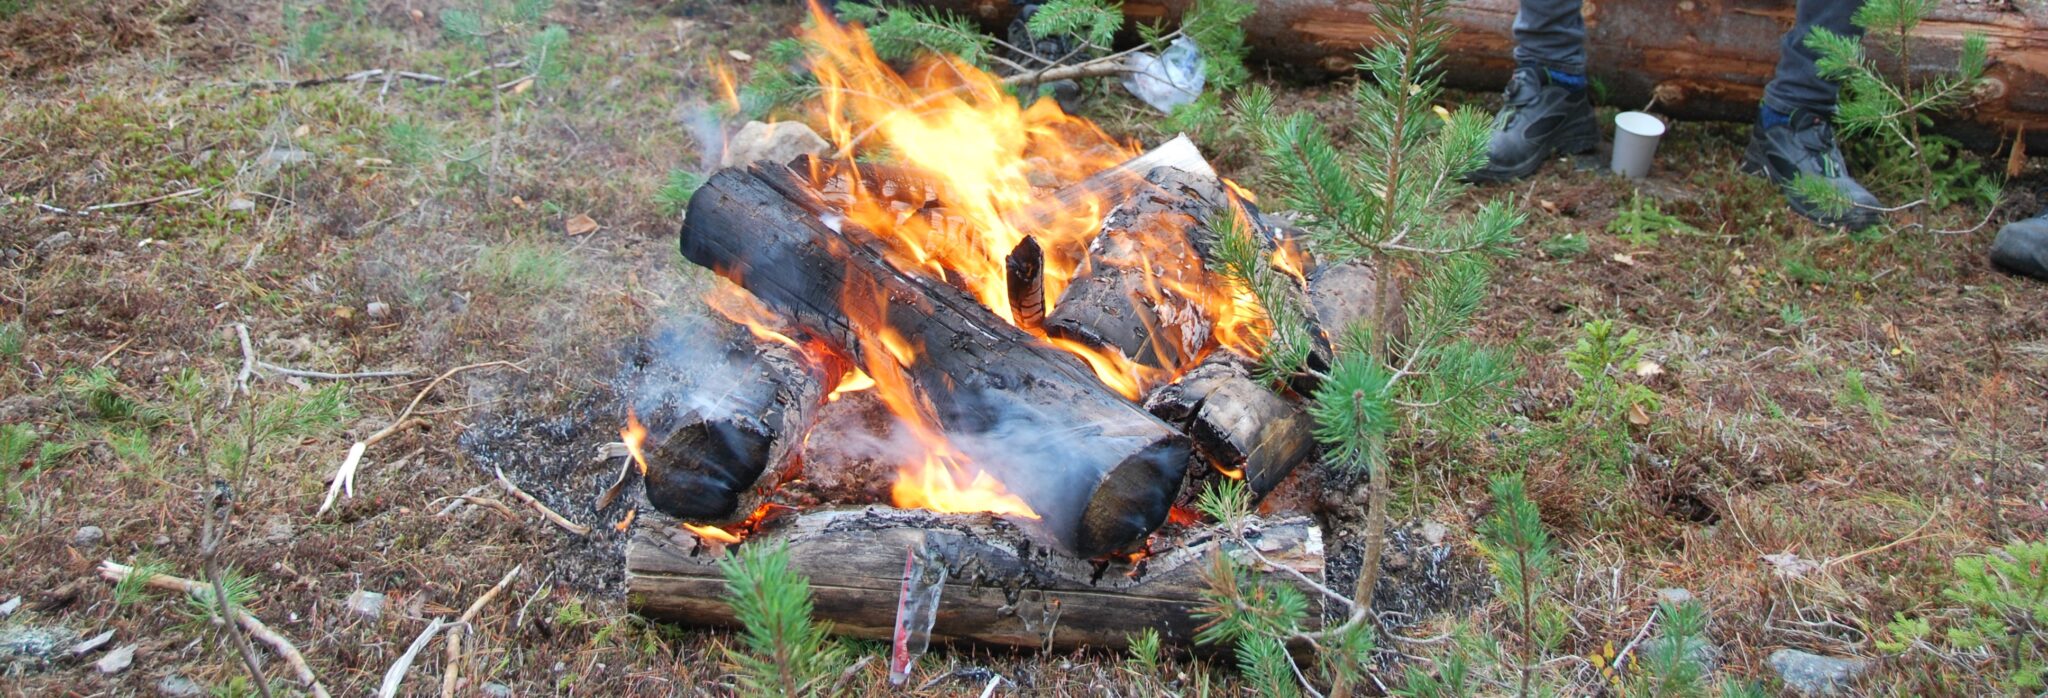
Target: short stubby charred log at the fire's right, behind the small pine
x,y
1242,427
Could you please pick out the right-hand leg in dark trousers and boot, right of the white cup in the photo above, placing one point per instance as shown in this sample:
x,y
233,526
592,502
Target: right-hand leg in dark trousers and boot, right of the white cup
x,y
1795,136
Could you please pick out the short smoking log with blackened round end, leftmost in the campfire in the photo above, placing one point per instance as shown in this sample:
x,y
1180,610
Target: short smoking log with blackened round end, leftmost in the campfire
x,y
720,410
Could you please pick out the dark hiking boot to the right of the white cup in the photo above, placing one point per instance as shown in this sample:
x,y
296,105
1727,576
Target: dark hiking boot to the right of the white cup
x,y
1805,144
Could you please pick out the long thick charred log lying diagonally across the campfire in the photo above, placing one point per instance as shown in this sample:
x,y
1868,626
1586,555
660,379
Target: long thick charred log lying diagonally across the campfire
x,y
1099,472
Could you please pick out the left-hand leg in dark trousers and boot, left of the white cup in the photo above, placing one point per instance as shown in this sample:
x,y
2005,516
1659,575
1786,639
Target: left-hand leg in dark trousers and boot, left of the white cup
x,y
1547,110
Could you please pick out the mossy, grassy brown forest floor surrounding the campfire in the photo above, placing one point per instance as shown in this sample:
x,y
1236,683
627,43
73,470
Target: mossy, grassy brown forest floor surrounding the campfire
x,y
1871,406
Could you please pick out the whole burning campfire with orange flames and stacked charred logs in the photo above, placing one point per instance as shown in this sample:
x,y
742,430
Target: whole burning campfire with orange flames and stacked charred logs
x,y
1037,310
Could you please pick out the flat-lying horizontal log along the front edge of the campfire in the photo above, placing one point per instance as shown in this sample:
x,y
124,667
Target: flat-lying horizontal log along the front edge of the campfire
x,y
1000,588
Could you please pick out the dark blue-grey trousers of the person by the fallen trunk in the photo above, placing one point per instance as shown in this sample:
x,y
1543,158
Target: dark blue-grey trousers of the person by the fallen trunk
x,y
1551,34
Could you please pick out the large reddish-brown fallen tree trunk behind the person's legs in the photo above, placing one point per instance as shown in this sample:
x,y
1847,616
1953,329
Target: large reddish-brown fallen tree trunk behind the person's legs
x,y
1699,58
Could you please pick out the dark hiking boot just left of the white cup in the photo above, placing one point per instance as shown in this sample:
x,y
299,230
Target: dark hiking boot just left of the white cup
x,y
1539,120
